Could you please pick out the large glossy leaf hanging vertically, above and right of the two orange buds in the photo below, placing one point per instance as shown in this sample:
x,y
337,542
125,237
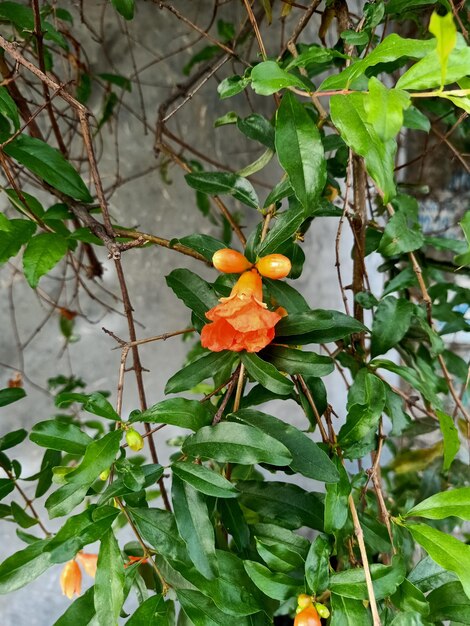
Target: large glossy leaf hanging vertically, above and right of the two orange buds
x,y
300,151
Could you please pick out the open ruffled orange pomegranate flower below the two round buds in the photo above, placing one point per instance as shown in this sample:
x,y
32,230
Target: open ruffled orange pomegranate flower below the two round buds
x,y
241,321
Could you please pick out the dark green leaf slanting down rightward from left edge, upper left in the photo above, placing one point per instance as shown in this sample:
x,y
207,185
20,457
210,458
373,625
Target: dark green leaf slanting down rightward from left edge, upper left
x,y
49,164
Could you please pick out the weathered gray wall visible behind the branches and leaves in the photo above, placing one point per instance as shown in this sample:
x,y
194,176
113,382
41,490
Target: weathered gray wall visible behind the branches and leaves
x,y
167,210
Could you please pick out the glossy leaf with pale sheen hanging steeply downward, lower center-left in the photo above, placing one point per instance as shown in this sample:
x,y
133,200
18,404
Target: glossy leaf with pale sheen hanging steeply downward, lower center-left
x,y
194,526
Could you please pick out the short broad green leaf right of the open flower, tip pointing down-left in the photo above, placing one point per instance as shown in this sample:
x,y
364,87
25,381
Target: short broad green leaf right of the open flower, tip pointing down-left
x,y
391,323
